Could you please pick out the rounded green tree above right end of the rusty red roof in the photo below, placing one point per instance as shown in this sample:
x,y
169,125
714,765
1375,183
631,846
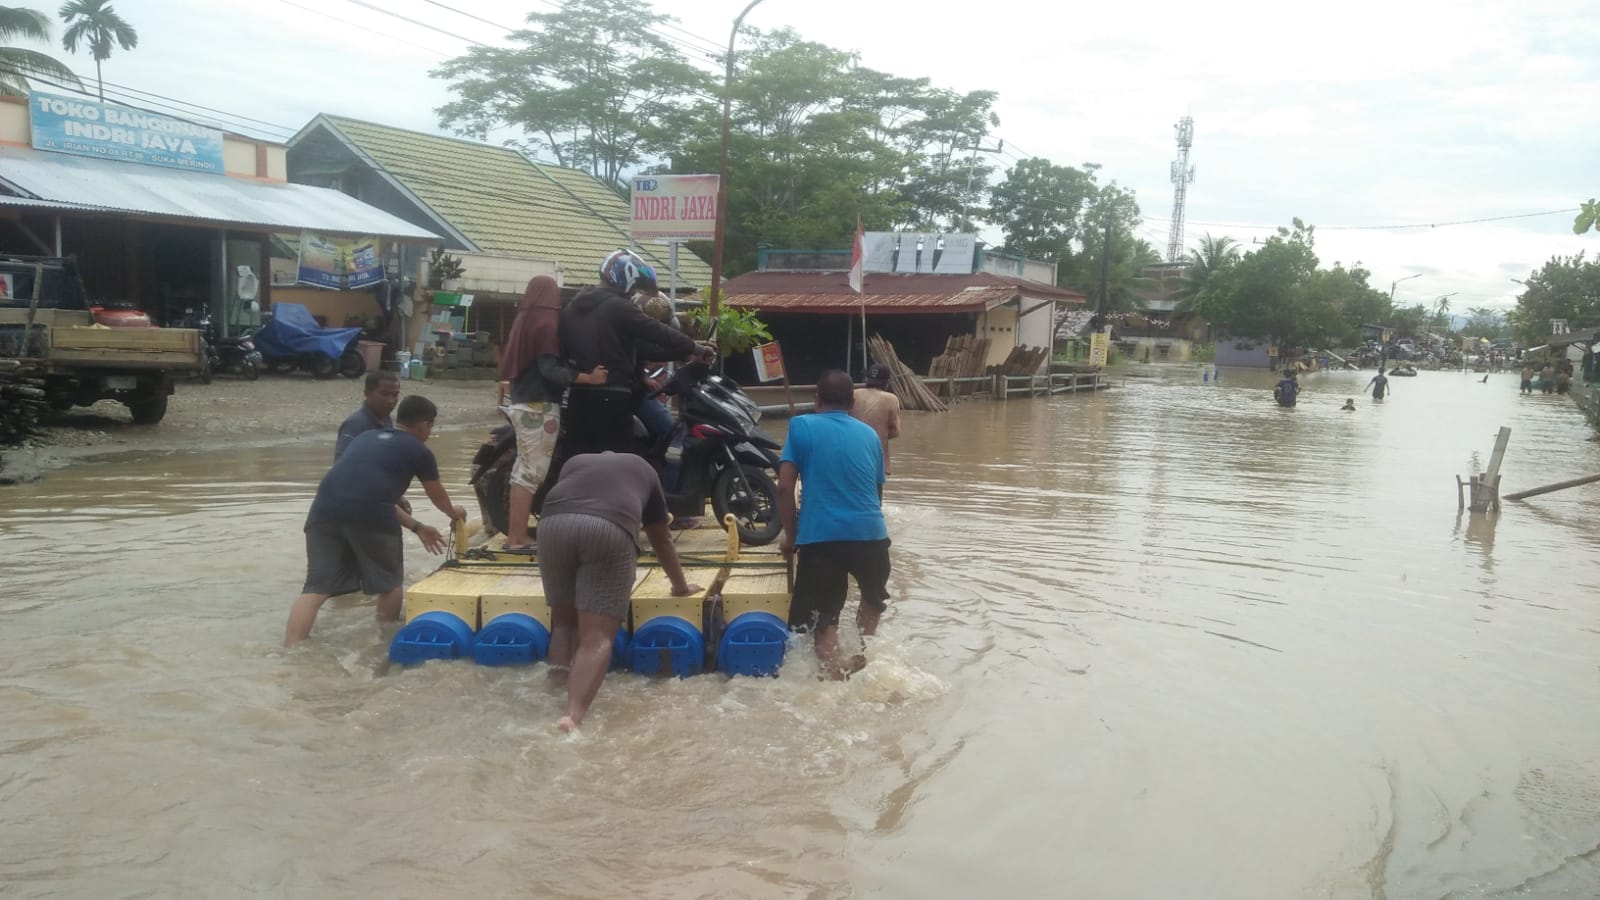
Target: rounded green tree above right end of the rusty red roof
x,y
1041,206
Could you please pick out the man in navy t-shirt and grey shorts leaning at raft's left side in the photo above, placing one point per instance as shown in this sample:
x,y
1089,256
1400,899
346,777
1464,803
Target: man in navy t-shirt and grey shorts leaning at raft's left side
x,y
353,532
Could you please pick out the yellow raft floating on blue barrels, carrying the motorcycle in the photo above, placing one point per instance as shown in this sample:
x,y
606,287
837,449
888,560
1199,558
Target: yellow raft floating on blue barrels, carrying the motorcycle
x,y
486,593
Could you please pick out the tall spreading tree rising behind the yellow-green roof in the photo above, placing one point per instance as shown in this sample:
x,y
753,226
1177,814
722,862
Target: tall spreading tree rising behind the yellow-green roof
x,y
593,82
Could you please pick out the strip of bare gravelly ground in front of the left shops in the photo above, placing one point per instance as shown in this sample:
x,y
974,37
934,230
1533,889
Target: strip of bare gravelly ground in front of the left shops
x,y
231,412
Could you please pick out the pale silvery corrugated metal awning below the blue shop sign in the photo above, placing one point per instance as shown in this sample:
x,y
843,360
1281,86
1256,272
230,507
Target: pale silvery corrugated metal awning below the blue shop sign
x,y
162,193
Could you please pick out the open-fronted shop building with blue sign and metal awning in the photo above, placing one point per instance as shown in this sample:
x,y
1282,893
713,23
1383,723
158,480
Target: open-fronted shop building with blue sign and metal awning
x,y
174,217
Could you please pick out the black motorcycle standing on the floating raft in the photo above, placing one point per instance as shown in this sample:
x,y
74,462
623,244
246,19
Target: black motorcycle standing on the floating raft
x,y
714,452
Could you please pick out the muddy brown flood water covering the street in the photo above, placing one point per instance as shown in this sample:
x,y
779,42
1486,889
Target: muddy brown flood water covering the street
x,y
1162,643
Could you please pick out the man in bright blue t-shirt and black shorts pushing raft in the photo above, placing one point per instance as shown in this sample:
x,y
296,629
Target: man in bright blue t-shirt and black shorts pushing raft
x,y
841,531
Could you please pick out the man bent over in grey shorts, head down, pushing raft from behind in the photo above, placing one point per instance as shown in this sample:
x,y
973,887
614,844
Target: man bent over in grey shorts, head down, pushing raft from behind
x,y
588,555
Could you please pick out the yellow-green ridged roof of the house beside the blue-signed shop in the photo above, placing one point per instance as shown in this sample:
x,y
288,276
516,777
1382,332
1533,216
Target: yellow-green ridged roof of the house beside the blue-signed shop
x,y
505,203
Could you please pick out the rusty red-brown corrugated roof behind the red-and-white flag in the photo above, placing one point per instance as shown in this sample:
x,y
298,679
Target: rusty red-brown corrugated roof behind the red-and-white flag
x,y
884,294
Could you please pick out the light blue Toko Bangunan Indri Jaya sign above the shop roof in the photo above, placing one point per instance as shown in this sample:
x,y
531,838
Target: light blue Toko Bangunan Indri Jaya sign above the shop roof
x,y
103,131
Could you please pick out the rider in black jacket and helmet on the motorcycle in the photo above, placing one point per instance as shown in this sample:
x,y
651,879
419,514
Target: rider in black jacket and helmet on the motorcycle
x,y
604,331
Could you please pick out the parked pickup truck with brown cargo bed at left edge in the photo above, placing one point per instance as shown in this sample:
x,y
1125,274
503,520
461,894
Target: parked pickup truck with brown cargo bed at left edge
x,y
46,316
